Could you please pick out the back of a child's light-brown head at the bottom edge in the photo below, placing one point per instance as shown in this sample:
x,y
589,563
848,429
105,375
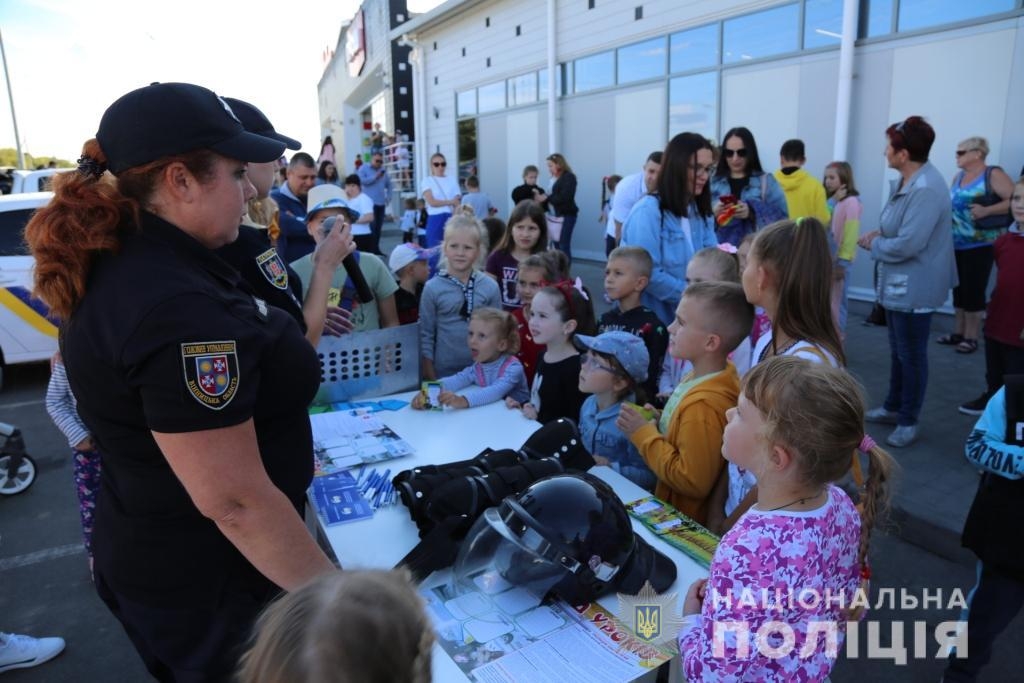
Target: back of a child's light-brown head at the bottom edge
x,y
344,626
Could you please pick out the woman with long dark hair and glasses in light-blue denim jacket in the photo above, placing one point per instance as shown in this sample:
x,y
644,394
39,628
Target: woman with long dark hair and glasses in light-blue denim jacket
x,y
675,222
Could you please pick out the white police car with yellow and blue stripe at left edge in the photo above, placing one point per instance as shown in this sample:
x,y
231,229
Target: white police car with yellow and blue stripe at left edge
x,y
27,332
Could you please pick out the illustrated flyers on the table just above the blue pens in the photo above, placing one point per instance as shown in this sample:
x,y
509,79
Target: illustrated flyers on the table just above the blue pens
x,y
349,439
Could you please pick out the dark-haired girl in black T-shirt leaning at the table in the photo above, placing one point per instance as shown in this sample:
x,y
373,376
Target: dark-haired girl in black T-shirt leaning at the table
x,y
558,313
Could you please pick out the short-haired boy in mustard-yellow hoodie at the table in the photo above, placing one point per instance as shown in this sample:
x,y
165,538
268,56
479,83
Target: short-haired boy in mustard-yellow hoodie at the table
x,y
684,445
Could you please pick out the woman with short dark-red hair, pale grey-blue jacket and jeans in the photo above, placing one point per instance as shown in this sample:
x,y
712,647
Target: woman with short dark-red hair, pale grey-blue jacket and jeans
x,y
915,250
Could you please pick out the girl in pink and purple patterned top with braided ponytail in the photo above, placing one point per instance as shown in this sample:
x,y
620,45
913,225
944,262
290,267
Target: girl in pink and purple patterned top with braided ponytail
x,y
797,425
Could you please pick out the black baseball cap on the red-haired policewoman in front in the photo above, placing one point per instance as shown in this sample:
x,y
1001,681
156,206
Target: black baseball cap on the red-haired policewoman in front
x,y
166,119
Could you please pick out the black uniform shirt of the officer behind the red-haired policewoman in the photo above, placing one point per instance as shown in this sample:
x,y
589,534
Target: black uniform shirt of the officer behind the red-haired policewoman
x,y
262,267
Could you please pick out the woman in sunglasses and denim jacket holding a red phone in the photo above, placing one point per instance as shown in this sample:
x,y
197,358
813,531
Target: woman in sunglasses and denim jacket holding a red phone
x,y
744,197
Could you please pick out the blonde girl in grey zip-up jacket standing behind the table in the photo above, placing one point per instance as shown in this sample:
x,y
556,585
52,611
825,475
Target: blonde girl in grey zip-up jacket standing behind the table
x,y
451,297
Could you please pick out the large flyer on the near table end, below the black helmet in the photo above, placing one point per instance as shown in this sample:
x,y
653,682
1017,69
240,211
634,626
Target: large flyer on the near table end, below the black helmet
x,y
503,633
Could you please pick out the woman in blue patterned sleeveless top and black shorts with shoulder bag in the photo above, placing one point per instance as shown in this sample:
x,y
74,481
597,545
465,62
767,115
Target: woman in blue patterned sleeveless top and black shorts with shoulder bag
x,y
980,196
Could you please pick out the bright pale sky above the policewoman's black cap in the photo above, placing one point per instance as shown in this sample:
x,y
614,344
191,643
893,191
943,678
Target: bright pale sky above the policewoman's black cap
x,y
69,60
